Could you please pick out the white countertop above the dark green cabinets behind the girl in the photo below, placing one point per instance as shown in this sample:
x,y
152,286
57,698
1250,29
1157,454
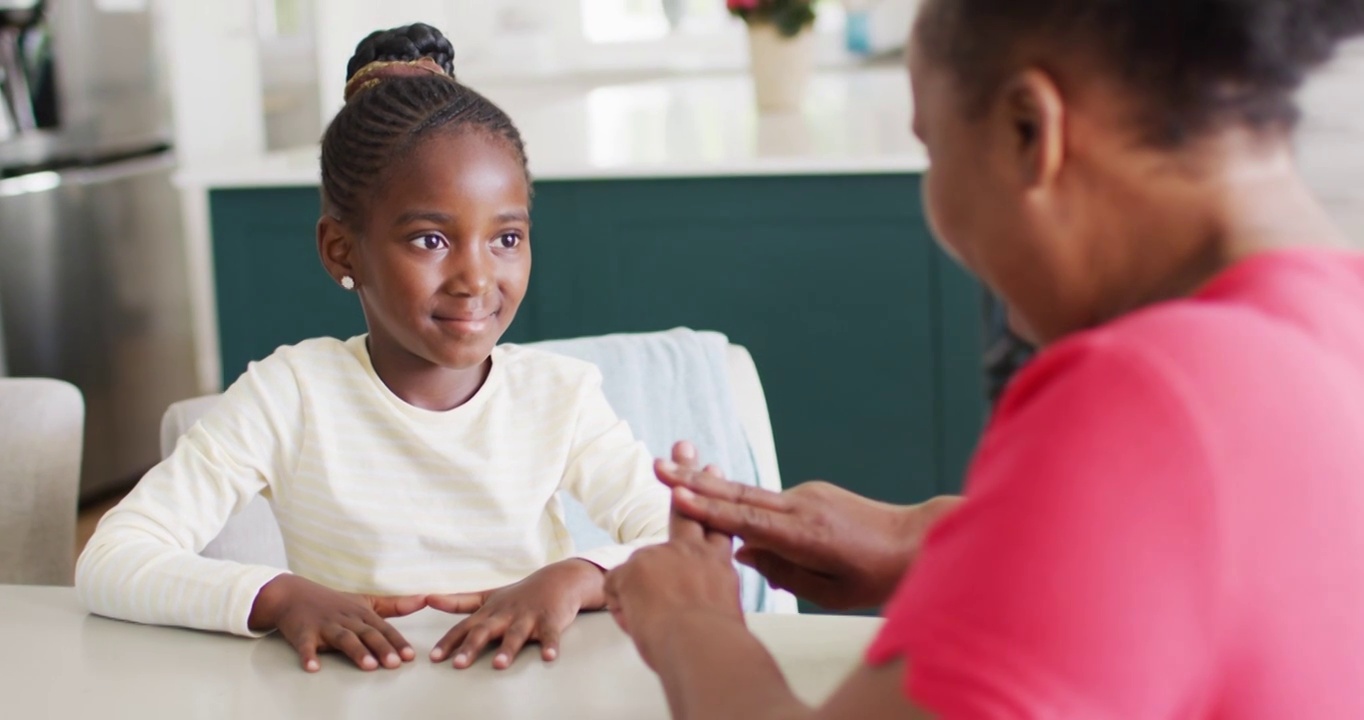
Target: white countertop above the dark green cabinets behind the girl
x,y
853,122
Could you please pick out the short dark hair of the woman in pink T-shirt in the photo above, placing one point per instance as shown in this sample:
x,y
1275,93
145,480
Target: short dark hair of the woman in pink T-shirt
x,y
1196,65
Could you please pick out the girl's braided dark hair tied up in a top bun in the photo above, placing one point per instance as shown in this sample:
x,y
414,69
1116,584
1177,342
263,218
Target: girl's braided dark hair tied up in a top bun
x,y
400,89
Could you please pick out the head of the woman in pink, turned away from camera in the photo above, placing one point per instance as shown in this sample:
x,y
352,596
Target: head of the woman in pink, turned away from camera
x,y
1066,134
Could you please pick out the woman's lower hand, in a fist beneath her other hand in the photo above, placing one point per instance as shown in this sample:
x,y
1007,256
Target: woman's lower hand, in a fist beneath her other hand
x,y
691,575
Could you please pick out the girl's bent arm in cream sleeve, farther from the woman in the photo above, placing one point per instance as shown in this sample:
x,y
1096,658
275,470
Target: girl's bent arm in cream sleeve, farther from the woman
x,y
143,562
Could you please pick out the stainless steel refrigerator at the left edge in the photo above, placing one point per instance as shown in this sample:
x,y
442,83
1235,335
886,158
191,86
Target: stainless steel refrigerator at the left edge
x,y
93,271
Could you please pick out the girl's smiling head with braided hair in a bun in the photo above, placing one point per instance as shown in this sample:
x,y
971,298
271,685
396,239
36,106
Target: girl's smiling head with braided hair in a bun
x,y
426,202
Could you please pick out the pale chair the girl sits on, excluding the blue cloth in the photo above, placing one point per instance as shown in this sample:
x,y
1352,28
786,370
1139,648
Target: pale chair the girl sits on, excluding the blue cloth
x,y
253,537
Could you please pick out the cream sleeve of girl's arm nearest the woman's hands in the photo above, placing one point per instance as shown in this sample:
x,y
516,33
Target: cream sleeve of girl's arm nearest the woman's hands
x,y
612,475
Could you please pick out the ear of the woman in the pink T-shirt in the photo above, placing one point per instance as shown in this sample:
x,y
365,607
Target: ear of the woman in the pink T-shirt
x,y
1032,111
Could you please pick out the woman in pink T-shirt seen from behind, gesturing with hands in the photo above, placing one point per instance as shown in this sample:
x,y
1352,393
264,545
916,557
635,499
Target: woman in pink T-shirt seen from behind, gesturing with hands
x,y
1166,517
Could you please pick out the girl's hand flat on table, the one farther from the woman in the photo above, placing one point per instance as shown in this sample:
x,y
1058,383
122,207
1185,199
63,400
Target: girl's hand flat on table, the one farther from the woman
x,y
314,618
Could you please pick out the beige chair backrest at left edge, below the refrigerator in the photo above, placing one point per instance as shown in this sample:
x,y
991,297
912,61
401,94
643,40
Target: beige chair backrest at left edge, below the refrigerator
x,y
42,436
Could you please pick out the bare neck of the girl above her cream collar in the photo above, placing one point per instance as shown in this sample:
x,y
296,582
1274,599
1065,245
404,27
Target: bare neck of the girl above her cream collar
x,y
421,382
